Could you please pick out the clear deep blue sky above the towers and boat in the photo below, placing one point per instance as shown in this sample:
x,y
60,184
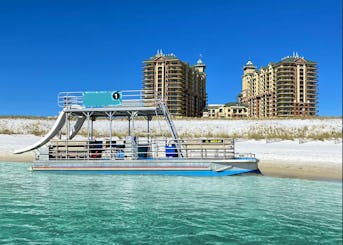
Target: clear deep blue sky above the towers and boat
x,y
51,46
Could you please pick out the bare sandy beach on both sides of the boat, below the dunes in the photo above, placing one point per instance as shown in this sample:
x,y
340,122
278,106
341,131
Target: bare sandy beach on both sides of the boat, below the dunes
x,y
311,160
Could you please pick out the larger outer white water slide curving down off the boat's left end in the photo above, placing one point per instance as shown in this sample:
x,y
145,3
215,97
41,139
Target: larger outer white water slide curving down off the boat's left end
x,y
53,131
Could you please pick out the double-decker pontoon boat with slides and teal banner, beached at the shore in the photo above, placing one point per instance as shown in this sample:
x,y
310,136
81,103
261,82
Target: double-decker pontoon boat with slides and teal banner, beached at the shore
x,y
59,151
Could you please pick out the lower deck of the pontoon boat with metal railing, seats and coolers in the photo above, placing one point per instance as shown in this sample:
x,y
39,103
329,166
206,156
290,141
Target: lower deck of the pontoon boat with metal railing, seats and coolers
x,y
133,149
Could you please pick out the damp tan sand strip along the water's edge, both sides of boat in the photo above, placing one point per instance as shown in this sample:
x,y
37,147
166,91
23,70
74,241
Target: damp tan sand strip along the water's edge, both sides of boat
x,y
314,170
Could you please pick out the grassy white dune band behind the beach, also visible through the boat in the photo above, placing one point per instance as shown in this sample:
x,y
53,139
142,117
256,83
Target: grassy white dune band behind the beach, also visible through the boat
x,y
269,130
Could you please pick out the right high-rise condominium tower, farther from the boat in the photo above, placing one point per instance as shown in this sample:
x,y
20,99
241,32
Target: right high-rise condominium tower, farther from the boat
x,y
284,89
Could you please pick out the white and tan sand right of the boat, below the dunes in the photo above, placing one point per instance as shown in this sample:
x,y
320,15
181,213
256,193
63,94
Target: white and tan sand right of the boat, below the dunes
x,y
311,160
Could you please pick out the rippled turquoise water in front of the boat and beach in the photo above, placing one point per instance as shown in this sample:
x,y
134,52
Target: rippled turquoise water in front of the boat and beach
x,y
43,208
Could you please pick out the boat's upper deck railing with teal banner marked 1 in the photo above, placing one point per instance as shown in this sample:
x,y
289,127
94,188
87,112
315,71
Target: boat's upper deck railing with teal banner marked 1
x,y
100,99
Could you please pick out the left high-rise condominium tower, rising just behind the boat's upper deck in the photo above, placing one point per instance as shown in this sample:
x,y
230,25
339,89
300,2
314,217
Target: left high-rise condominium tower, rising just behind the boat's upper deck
x,y
182,86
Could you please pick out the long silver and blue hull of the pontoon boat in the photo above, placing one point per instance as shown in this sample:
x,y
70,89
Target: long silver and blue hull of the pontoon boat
x,y
152,167
